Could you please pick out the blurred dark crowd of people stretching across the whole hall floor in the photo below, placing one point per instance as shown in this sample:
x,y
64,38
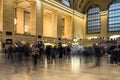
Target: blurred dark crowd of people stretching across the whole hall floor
x,y
20,53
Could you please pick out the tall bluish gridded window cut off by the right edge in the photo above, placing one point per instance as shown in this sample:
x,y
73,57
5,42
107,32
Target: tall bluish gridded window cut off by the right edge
x,y
114,16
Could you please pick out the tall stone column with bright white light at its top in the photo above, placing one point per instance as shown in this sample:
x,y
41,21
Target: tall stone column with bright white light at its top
x,y
37,17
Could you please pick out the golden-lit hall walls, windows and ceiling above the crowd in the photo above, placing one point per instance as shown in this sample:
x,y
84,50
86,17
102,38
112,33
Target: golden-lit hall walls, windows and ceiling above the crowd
x,y
51,21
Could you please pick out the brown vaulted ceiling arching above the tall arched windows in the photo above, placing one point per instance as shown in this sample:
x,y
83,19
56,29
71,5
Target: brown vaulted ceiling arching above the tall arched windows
x,y
83,5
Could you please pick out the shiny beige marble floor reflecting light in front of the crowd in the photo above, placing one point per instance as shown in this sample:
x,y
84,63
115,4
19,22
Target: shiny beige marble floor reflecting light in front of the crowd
x,y
73,69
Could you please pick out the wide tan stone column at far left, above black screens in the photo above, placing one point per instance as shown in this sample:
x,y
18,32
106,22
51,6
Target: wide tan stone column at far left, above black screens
x,y
8,18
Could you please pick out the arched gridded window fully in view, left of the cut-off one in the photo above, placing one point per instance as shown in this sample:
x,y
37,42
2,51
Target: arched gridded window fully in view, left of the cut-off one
x,y
93,20
